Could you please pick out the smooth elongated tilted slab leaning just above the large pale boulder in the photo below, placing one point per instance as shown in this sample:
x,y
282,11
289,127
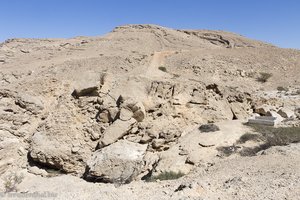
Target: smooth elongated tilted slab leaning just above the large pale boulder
x,y
116,131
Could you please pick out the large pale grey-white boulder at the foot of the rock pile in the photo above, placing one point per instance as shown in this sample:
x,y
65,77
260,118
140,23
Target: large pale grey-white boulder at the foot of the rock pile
x,y
120,162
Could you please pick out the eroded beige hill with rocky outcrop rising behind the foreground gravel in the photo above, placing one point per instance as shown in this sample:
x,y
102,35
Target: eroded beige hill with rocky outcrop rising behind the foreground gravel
x,y
129,105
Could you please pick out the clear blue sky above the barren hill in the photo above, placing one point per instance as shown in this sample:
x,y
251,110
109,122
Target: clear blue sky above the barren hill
x,y
274,21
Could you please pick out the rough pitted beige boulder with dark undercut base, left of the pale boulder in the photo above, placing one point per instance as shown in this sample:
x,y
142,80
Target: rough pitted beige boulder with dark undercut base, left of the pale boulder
x,y
63,141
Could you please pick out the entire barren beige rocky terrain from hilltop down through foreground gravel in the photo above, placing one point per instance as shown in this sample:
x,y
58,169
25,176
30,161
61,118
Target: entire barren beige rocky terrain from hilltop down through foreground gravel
x,y
143,101
